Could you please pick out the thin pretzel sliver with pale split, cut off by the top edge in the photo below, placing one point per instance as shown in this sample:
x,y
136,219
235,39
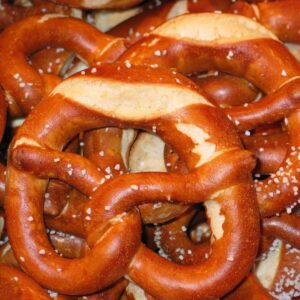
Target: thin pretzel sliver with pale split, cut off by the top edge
x,y
111,4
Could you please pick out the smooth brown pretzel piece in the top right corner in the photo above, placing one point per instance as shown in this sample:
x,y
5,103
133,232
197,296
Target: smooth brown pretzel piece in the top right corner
x,y
281,17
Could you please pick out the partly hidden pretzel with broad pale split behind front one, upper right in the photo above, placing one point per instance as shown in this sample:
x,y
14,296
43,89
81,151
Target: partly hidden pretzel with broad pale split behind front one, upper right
x,y
275,73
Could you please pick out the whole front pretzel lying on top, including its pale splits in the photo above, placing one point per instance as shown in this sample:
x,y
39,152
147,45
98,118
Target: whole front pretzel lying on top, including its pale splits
x,y
219,174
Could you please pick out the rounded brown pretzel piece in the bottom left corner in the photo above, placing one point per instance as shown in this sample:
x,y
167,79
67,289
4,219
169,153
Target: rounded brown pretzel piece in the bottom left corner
x,y
15,284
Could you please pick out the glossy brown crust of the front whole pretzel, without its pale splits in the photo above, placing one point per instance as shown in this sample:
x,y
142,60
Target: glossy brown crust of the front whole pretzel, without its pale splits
x,y
233,253
